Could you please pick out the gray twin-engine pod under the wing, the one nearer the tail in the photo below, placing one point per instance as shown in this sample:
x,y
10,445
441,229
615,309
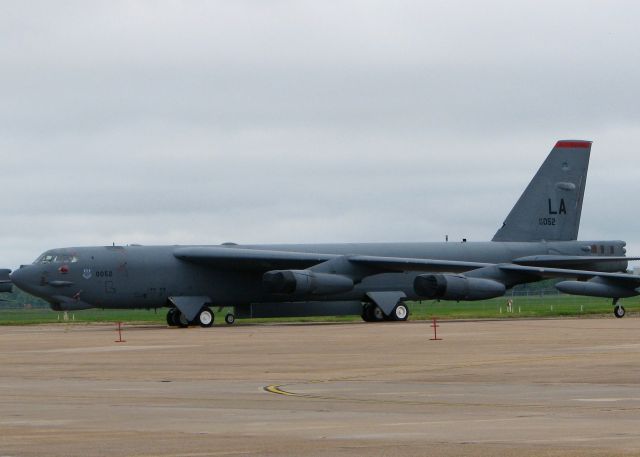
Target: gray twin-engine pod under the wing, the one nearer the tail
x,y
456,287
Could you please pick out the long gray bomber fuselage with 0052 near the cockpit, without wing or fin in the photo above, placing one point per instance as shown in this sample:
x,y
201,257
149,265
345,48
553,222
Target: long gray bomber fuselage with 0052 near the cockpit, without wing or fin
x,y
146,276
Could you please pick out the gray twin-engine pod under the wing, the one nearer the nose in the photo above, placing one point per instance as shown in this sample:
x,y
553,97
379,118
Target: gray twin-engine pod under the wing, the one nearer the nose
x,y
305,282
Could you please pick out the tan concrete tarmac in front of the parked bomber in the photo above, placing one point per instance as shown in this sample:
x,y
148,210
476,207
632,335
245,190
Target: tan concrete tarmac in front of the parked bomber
x,y
509,387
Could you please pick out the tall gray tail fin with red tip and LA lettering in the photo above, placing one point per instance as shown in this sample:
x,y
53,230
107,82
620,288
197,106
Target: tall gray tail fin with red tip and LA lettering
x,y
551,205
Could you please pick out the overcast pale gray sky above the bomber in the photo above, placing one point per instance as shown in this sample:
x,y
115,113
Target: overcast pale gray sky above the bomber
x,y
176,122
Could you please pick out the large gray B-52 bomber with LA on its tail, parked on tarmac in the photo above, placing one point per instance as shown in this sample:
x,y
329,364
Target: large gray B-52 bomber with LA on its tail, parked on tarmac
x,y
374,280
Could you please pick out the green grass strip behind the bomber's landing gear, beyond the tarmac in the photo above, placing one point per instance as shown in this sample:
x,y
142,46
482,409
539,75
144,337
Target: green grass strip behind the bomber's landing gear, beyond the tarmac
x,y
532,306
